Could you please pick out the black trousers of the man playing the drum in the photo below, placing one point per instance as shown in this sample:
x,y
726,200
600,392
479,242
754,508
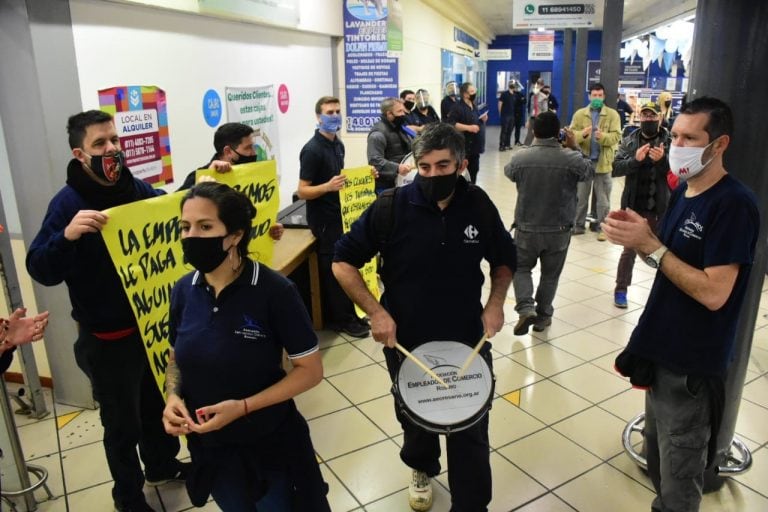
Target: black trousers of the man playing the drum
x,y
469,465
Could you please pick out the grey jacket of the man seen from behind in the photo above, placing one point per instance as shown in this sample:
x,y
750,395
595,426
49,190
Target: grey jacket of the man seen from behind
x,y
546,175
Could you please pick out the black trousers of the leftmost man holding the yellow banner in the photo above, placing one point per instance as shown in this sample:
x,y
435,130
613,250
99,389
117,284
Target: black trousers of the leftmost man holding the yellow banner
x,y
131,410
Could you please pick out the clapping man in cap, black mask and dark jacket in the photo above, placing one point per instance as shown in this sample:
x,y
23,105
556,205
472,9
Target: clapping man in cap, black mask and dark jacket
x,y
642,158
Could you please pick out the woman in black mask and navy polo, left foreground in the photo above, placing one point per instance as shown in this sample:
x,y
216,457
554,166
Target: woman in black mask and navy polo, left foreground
x,y
229,323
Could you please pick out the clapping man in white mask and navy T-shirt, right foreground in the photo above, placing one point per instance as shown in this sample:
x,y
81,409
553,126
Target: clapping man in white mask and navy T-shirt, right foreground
x,y
684,340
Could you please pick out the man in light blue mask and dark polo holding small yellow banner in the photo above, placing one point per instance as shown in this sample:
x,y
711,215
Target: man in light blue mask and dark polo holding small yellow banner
x,y
320,179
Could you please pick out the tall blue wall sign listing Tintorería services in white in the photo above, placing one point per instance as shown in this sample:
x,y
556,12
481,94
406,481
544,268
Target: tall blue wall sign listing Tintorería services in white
x,y
371,75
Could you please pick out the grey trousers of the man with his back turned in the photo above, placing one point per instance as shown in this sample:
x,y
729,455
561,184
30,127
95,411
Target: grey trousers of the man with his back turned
x,y
549,248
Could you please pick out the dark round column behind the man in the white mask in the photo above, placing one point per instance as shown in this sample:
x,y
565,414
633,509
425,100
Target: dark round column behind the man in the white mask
x,y
732,34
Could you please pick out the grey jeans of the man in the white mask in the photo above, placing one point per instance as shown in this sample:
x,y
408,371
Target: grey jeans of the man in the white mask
x,y
677,431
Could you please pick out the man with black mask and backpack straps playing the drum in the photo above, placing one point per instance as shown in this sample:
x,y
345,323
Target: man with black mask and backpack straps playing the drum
x,y
432,237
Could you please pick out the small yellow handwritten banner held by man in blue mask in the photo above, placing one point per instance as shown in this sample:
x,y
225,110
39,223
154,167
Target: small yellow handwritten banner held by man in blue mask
x,y
357,195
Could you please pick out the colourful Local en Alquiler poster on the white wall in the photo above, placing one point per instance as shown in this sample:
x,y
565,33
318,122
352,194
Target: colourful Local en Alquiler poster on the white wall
x,y
141,120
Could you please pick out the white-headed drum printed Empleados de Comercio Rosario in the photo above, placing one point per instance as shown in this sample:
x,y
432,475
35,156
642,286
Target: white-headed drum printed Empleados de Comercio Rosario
x,y
428,404
